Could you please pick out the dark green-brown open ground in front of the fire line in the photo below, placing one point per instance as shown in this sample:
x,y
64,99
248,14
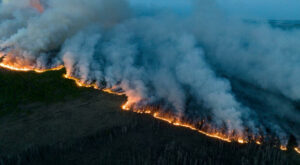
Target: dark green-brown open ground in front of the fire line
x,y
90,128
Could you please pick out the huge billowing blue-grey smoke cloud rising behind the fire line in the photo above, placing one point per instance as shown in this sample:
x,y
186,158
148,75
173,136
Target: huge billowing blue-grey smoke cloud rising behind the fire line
x,y
200,64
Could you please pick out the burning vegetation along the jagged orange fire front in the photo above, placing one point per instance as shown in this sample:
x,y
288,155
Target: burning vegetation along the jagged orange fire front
x,y
201,127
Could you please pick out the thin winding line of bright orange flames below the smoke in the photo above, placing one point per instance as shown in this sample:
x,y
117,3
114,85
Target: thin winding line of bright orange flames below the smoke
x,y
210,132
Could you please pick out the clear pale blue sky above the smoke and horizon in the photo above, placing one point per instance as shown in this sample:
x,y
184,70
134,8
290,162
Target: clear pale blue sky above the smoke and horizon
x,y
257,9
